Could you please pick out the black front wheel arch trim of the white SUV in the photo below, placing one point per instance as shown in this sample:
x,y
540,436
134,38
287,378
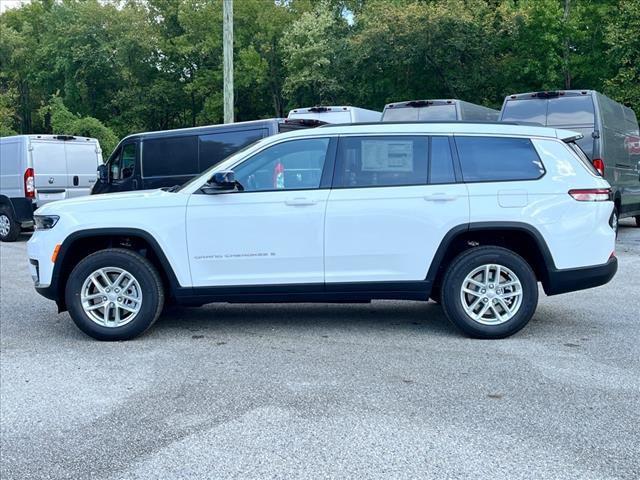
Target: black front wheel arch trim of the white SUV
x,y
79,244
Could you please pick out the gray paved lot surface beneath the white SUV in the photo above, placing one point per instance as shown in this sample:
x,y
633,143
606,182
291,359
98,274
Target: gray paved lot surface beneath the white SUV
x,y
387,390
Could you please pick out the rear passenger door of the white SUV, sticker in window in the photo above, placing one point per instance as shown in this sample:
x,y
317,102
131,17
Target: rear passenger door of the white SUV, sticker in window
x,y
390,207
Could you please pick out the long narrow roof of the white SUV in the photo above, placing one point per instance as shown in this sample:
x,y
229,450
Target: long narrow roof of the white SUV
x,y
485,128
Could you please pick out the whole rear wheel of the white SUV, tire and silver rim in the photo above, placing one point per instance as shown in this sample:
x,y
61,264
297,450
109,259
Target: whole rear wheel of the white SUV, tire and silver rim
x,y
489,292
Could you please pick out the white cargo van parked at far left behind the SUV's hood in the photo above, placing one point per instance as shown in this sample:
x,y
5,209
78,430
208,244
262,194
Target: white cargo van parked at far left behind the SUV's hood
x,y
36,169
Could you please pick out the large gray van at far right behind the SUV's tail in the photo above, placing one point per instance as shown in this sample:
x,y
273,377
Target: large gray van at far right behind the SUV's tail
x,y
611,138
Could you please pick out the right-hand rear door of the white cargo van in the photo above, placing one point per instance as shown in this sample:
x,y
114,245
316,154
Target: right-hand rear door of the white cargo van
x,y
83,158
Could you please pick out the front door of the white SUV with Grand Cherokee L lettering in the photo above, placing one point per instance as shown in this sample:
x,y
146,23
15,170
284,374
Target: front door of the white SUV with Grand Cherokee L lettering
x,y
272,232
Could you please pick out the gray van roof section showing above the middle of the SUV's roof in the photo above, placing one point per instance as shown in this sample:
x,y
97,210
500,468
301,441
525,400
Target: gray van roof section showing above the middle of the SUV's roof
x,y
438,110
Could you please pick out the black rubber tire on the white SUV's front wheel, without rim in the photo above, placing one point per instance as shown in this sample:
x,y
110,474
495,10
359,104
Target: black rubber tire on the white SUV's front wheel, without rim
x,y
143,271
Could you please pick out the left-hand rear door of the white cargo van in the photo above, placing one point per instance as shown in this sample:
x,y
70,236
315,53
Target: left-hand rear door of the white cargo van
x,y
50,168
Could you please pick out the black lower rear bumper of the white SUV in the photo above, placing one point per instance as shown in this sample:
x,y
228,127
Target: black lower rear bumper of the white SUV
x,y
570,280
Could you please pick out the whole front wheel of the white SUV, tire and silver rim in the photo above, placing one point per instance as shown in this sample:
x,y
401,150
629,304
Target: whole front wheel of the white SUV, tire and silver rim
x,y
114,294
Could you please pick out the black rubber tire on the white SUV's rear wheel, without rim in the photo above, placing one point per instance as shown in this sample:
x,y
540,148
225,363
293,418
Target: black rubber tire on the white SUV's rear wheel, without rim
x,y
464,264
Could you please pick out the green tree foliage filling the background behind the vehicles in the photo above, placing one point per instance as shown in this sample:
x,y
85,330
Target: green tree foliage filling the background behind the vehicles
x,y
113,67
